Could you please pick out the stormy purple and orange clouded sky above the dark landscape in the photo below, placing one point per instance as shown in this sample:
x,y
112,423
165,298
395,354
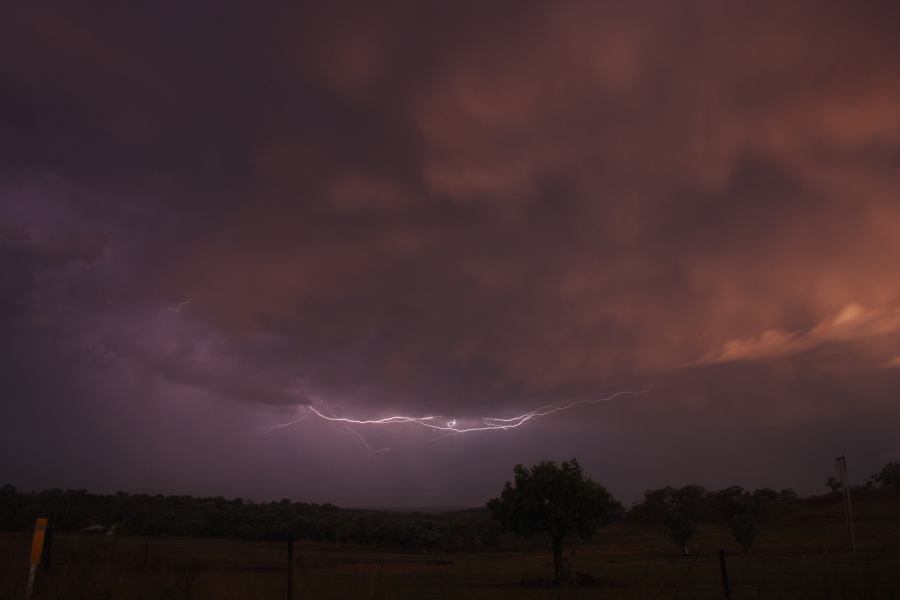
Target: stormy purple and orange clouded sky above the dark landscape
x,y
215,214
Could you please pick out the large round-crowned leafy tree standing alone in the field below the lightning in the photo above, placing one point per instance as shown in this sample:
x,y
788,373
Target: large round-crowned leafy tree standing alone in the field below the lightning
x,y
556,500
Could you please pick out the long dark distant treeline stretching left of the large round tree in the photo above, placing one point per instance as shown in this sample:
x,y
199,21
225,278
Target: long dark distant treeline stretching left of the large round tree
x,y
158,515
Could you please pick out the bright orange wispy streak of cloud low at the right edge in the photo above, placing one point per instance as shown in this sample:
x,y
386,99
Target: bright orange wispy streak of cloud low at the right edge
x,y
853,322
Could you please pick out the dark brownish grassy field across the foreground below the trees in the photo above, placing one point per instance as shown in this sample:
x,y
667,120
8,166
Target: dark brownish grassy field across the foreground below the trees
x,y
803,555
